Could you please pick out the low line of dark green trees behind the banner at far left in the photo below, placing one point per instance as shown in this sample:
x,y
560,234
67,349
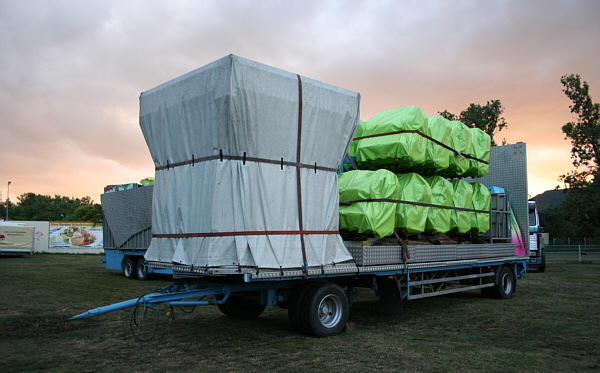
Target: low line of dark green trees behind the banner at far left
x,y
37,207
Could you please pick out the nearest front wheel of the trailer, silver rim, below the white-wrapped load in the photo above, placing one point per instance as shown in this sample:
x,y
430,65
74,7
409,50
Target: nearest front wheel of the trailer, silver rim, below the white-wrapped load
x,y
325,309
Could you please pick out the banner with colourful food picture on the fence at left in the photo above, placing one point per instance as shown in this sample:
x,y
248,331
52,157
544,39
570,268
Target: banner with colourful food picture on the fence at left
x,y
69,234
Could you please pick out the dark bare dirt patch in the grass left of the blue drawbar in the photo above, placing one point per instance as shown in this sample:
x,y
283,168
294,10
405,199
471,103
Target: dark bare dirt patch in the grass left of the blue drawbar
x,y
43,327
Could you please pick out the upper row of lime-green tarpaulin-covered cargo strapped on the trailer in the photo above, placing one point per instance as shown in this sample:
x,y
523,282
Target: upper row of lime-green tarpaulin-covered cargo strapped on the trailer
x,y
406,140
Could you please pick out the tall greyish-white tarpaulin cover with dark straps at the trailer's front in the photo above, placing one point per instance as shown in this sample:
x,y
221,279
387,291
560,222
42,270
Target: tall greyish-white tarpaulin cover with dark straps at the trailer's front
x,y
236,145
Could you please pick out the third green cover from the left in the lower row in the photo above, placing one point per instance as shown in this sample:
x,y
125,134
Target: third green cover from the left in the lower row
x,y
438,220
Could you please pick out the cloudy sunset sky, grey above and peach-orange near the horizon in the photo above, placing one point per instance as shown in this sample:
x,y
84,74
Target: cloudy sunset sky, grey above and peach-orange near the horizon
x,y
71,72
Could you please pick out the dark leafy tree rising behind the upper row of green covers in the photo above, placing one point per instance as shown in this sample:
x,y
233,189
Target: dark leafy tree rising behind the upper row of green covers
x,y
487,118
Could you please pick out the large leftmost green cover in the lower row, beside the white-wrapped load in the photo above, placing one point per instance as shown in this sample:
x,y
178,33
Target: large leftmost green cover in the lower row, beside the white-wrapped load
x,y
368,217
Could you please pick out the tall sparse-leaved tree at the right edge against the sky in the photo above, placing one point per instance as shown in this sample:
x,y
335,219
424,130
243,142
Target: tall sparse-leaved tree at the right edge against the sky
x,y
584,133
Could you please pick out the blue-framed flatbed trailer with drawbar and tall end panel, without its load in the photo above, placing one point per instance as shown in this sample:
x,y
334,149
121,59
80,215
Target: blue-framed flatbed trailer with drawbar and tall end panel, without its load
x,y
318,299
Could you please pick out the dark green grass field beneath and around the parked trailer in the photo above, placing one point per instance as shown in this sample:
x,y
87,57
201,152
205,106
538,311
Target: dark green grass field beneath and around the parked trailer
x,y
551,324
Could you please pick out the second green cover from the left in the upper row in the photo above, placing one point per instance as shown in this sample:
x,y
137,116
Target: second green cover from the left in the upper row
x,y
438,157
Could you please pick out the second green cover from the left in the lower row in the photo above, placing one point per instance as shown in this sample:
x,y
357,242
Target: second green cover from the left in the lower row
x,y
410,218
